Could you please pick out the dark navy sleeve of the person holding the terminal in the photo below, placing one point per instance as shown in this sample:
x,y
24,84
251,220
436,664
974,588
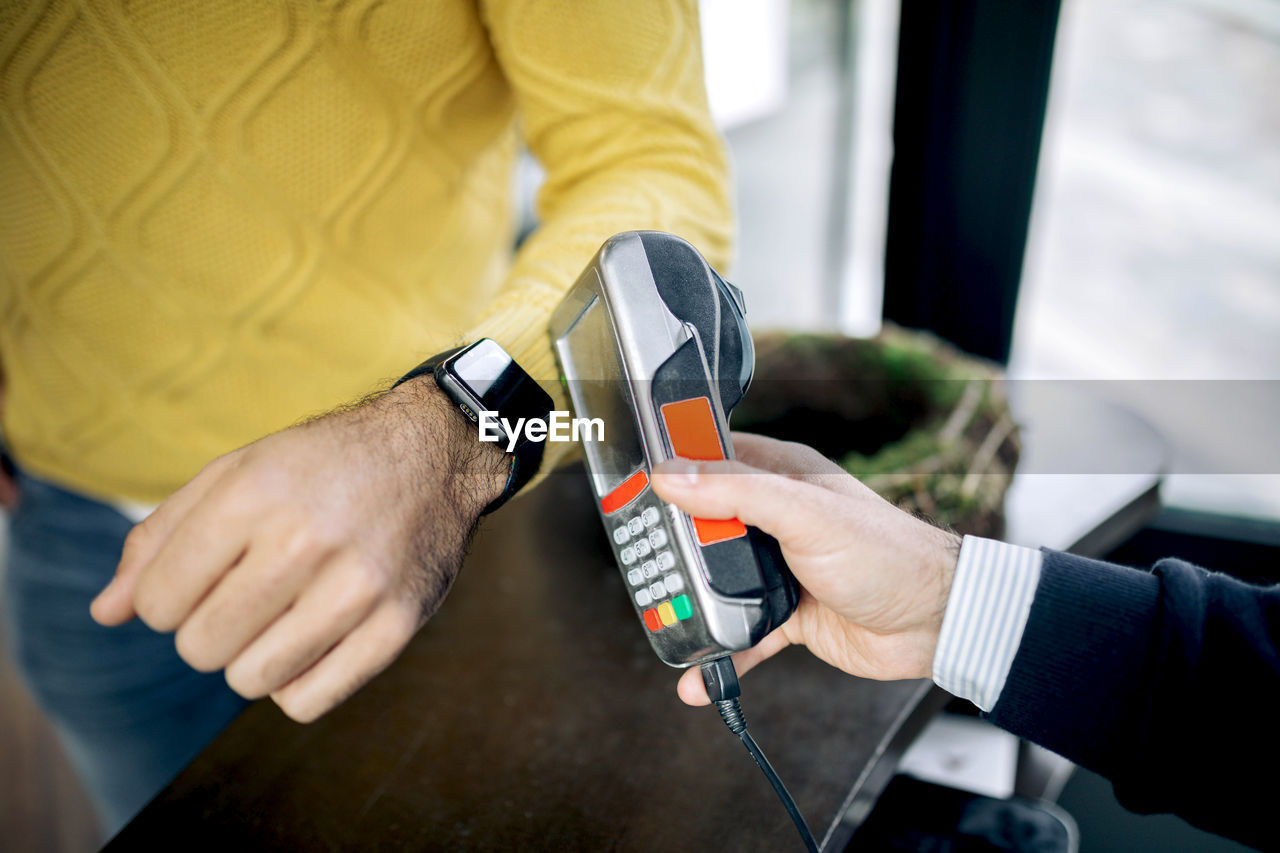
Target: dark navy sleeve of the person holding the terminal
x,y
1165,682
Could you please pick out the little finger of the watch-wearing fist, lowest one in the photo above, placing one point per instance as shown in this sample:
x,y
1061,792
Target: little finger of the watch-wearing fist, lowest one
x,y
362,655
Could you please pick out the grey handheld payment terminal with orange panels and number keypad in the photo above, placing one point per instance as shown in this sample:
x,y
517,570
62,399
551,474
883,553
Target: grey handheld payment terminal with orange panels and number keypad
x,y
653,343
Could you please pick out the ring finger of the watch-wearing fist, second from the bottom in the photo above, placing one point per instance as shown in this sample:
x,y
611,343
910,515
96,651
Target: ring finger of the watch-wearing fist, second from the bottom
x,y
340,600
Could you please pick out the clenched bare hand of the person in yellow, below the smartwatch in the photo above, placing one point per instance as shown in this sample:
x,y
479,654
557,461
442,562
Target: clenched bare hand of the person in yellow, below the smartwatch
x,y
304,563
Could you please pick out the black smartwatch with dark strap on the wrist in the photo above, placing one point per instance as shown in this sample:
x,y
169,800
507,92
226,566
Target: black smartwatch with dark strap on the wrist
x,y
483,378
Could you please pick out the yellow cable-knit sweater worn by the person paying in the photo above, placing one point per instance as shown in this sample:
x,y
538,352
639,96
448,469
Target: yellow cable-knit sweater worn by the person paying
x,y
220,217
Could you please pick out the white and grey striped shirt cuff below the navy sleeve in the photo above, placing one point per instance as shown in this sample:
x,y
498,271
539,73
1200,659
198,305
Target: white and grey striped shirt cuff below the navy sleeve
x,y
982,628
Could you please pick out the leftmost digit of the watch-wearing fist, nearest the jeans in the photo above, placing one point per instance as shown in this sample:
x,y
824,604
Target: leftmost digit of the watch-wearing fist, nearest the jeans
x,y
115,605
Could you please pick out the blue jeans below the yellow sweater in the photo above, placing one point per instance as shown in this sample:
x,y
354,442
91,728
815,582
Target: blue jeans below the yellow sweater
x,y
129,711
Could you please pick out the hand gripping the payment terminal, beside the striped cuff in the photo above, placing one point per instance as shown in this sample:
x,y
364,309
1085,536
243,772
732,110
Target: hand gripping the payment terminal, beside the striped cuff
x,y
876,580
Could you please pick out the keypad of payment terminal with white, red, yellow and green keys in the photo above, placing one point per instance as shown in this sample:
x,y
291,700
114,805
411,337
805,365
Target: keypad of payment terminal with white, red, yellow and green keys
x,y
657,583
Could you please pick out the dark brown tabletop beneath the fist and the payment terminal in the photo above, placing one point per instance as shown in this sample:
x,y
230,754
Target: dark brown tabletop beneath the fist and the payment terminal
x,y
531,714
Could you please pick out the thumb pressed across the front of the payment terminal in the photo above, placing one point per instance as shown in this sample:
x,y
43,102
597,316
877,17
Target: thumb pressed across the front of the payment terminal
x,y
779,505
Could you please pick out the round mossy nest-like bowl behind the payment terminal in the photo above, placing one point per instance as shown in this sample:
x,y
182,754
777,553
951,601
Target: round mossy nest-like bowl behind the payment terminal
x,y
879,407
